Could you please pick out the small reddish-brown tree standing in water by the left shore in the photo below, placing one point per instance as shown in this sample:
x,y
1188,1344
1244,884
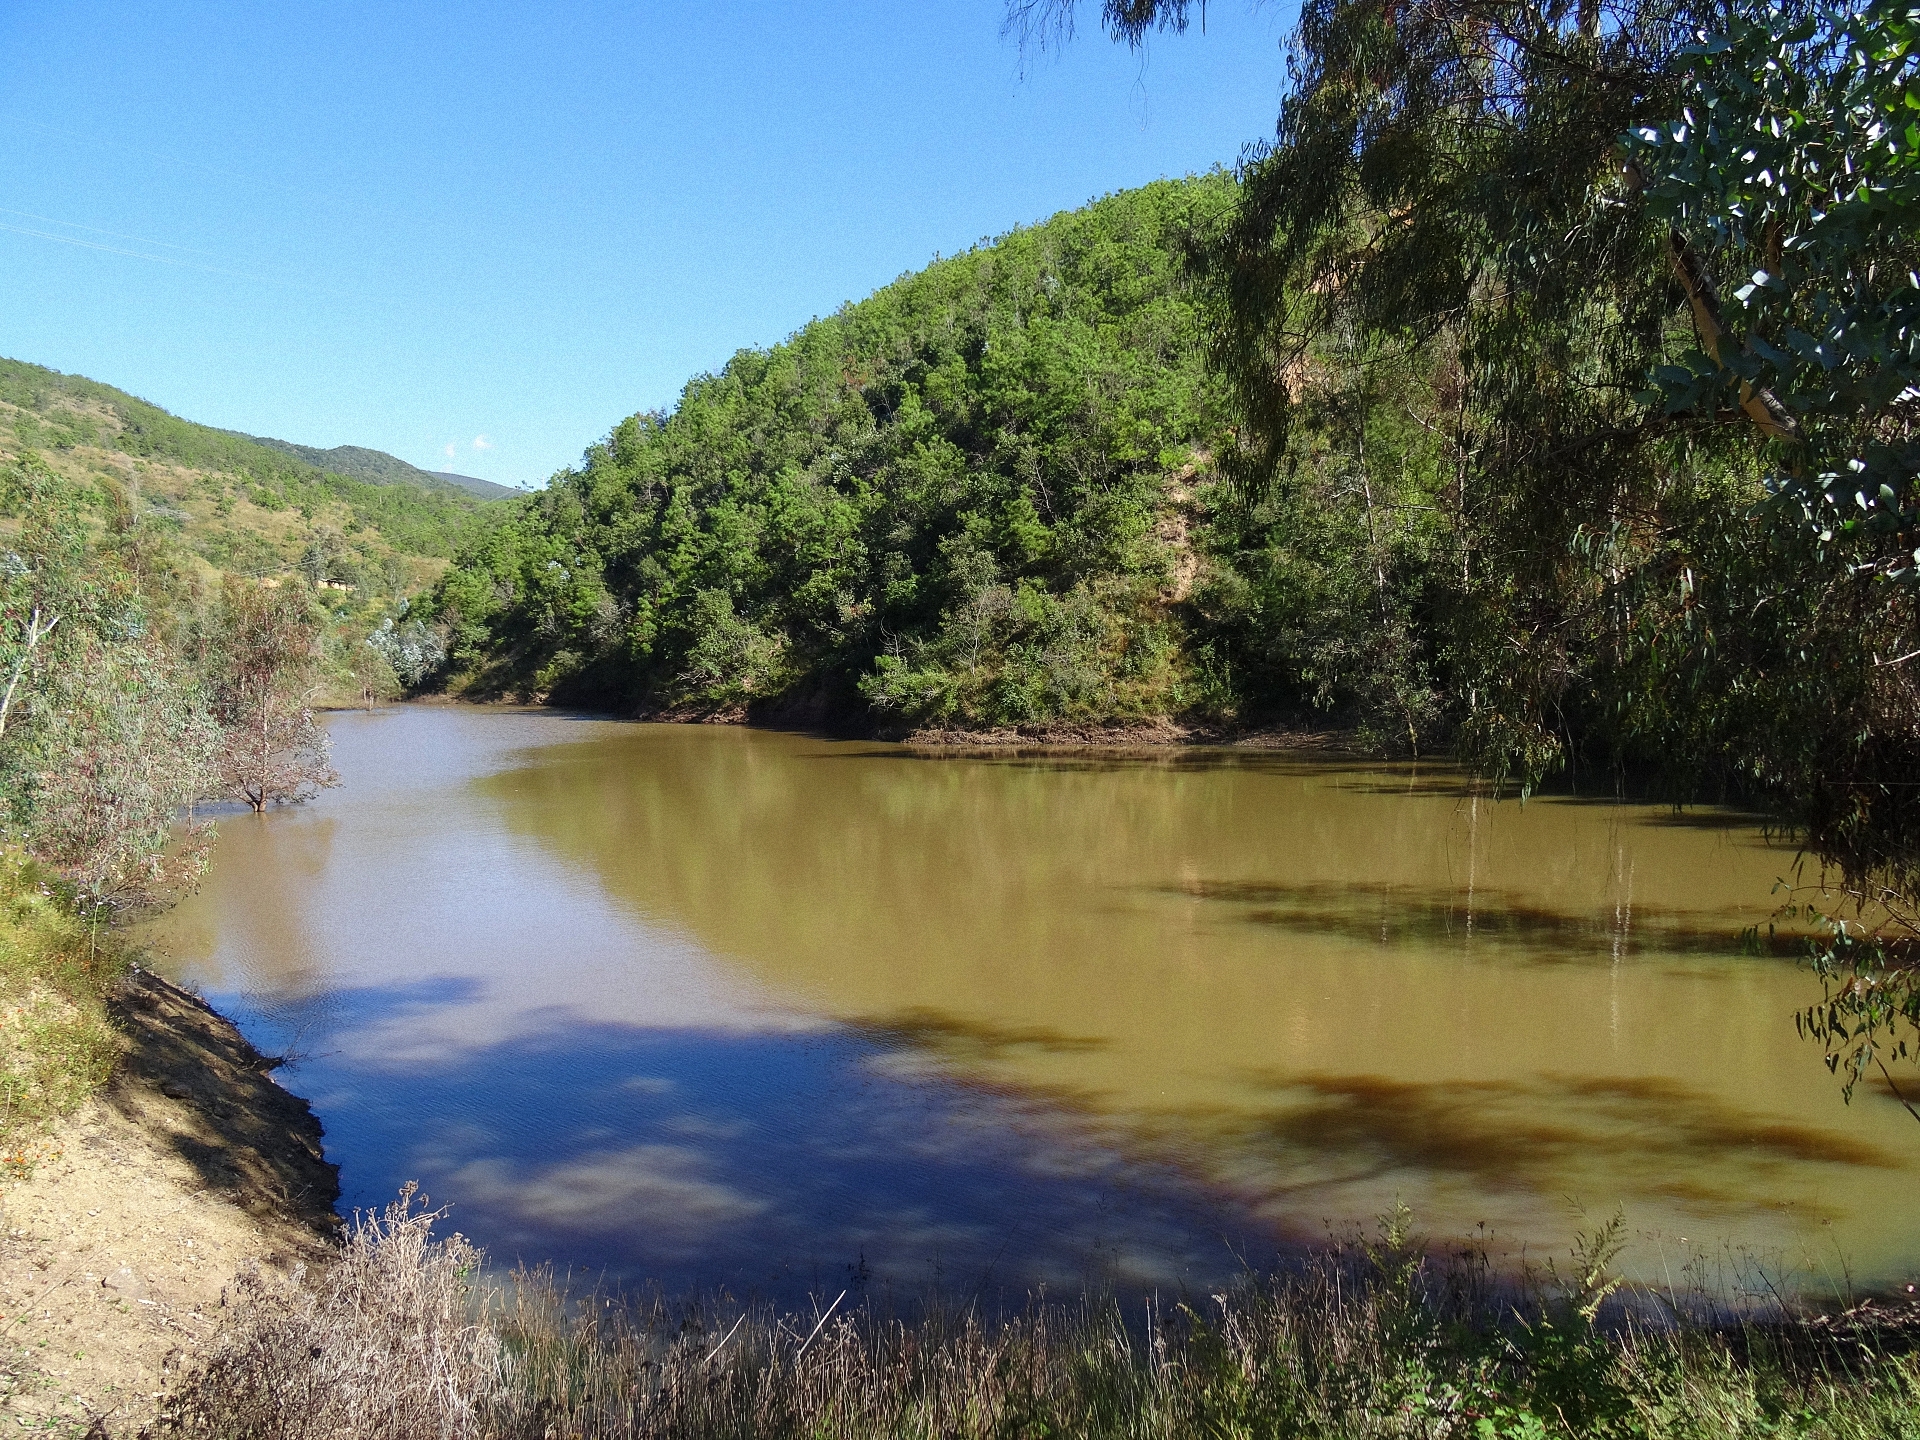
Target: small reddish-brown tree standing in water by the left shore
x,y
264,673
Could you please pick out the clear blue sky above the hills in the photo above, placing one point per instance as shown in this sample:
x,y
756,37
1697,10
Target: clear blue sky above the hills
x,y
504,228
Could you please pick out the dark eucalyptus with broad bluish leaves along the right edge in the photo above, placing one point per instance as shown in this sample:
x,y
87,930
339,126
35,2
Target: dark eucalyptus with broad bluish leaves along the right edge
x,y
1790,183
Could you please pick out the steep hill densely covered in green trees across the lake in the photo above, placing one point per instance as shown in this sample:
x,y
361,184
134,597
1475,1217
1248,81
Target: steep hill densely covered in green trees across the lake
x,y
999,492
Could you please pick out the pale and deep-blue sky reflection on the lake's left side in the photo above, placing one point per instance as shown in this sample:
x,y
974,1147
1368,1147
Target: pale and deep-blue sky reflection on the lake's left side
x,y
588,1088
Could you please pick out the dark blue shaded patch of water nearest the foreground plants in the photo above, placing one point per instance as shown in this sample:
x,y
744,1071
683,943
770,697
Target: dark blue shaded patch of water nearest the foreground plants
x,y
769,1164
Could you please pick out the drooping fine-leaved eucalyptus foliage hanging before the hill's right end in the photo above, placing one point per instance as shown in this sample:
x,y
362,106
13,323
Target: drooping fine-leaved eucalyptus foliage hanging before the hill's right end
x,y
1441,201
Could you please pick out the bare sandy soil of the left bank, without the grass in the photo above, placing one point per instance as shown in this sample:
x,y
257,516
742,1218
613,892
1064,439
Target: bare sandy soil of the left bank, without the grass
x,y
118,1249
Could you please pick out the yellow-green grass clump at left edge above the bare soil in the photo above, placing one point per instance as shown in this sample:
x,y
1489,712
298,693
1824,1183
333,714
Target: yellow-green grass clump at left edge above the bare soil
x,y
57,1040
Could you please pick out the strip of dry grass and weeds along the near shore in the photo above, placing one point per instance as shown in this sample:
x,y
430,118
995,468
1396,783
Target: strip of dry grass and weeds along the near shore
x,y
404,1339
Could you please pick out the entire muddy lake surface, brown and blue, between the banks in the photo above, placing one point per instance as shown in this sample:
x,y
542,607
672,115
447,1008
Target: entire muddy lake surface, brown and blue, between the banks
x,y
719,1007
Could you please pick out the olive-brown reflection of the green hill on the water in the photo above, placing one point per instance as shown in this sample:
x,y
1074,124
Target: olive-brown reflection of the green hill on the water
x,y
1328,986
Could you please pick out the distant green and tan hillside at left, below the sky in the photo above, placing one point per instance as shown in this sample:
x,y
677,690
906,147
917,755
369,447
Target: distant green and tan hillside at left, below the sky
x,y
239,504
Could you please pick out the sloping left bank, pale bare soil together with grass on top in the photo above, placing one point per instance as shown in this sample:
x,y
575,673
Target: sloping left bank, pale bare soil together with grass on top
x,y
128,1212
